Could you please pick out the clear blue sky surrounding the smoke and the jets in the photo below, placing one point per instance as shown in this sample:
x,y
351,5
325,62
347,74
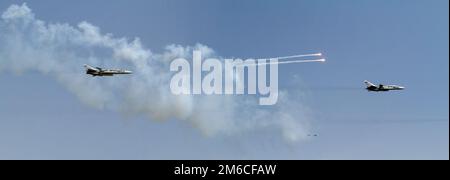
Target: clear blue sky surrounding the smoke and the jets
x,y
396,42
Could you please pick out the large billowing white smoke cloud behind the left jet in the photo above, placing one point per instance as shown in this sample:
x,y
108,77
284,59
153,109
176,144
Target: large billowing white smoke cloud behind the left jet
x,y
60,50
